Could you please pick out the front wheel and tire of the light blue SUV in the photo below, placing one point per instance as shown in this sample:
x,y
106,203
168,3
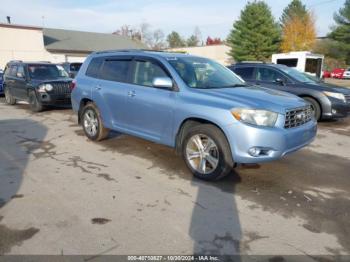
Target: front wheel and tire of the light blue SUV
x,y
206,152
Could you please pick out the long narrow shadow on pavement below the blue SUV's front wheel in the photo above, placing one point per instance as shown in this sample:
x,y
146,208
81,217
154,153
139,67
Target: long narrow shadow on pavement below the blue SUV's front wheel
x,y
215,227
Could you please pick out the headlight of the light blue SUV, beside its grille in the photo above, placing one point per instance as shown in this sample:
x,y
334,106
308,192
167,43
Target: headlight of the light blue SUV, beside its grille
x,y
255,116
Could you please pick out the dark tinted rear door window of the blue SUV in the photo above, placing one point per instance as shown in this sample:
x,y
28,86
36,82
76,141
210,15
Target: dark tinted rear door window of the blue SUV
x,y
115,70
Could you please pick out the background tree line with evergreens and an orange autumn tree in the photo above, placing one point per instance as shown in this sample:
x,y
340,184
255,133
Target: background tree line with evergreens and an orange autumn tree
x,y
256,35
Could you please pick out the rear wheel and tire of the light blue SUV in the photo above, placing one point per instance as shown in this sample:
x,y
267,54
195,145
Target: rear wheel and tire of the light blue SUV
x,y
92,124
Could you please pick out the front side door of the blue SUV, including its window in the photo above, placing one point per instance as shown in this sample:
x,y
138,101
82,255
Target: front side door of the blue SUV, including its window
x,y
150,110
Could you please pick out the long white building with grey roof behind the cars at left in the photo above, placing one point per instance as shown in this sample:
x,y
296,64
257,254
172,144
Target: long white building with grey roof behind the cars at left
x,y
31,43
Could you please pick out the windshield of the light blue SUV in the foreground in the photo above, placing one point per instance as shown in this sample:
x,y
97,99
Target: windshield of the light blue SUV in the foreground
x,y
204,73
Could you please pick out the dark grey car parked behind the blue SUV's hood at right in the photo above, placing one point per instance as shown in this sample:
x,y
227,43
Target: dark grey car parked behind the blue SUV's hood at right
x,y
327,101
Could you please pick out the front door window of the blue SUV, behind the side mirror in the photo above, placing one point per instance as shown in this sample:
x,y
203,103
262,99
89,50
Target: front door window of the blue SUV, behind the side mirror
x,y
146,71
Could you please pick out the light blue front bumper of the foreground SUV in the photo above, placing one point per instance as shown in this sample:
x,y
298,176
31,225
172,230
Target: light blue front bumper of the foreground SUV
x,y
274,142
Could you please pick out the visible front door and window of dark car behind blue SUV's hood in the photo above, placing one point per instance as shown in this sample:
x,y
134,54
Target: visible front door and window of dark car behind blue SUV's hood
x,y
272,78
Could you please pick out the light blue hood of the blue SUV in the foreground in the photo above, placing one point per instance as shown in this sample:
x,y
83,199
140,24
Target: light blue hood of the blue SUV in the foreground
x,y
256,97
